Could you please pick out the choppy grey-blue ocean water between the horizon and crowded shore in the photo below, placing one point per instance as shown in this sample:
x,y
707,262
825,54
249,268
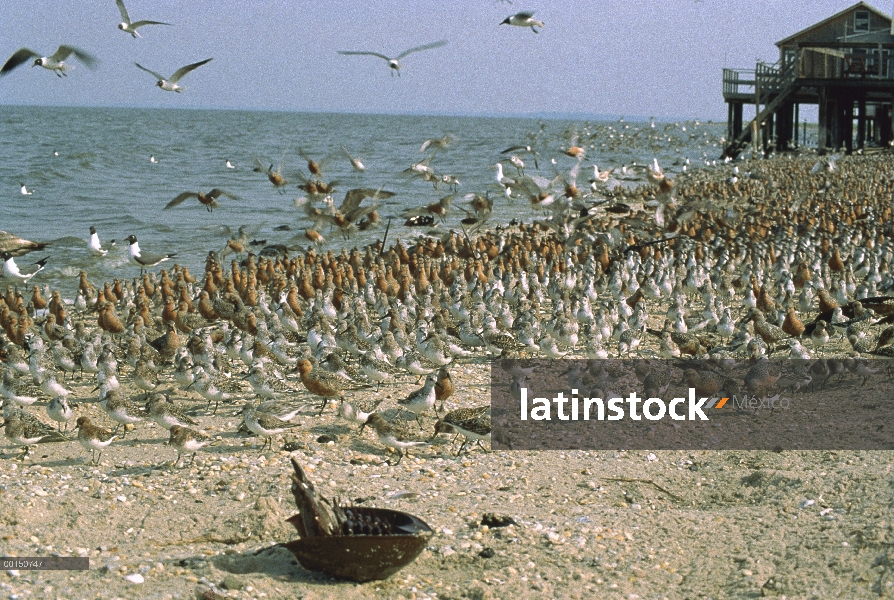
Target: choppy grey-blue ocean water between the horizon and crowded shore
x,y
103,176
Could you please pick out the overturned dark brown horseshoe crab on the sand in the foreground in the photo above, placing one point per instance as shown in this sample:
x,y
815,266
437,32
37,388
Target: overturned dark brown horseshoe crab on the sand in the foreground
x,y
352,542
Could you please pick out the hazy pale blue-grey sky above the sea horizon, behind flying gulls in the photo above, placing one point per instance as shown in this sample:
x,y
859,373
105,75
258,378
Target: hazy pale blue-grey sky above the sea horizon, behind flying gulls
x,y
645,58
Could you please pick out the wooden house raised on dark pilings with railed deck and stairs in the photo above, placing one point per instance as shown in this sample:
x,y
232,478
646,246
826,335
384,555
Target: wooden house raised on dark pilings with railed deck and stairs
x,y
844,64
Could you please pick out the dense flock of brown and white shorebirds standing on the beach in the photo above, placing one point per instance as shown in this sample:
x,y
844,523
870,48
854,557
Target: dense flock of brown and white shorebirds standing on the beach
x,y
783,260
